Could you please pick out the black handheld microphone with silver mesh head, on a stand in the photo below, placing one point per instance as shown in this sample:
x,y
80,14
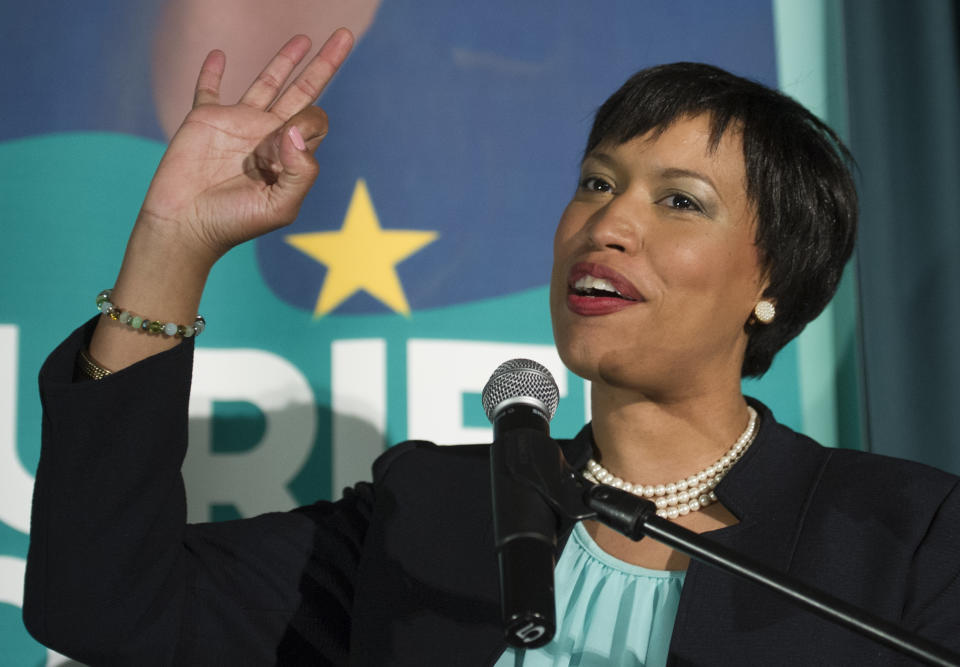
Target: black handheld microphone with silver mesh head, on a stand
x,y
520,399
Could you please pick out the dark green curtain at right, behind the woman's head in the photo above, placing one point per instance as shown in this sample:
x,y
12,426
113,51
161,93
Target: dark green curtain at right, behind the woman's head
x,y
903,72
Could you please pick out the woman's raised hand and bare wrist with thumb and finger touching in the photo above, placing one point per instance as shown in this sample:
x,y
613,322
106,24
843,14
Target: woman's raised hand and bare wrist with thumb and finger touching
x,y
231,173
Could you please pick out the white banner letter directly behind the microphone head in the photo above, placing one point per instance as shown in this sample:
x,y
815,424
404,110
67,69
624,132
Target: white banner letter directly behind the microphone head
x,y
439,372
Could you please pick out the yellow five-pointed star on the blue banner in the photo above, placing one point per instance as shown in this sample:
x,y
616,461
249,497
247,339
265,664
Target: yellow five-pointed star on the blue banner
x,y
361,256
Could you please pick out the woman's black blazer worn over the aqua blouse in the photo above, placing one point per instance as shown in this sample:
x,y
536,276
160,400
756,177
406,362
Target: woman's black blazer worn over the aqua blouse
x,y
402,571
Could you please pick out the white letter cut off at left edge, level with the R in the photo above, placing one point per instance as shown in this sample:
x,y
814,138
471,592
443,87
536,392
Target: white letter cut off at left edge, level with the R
x,y
16,484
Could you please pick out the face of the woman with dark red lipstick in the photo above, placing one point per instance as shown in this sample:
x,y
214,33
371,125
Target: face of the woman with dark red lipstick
x,y
655,269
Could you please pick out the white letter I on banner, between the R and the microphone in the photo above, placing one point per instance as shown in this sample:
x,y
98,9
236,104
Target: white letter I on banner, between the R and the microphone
x,y
359,397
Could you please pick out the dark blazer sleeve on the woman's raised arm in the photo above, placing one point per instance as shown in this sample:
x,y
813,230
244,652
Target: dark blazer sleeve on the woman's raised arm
x,y
115,575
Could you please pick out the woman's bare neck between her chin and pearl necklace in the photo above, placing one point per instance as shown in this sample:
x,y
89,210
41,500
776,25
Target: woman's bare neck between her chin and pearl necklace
x,y
655,441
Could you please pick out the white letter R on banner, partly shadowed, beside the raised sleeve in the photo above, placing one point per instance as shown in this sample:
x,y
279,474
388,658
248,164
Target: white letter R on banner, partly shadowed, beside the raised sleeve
x,y
254,480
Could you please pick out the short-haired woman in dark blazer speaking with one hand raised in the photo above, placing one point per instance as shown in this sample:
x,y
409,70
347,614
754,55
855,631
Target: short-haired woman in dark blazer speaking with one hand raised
x,y
711,222
